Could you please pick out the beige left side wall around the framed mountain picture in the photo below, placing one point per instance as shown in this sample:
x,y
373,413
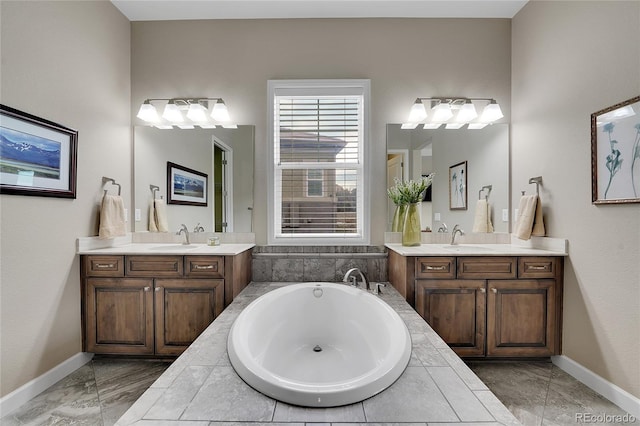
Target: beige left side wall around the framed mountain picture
x,y
67,62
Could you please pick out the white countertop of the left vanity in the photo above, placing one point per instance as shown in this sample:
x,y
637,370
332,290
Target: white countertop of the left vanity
x,y
170,248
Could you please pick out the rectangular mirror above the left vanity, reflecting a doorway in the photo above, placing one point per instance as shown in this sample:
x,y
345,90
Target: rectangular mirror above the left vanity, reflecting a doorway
x,y
225,156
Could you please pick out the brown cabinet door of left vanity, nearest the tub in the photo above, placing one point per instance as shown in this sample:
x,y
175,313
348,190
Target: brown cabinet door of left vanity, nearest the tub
x,y
184,308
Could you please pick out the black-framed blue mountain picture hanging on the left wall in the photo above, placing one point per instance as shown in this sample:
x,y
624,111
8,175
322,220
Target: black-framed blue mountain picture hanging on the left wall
x,y
37,156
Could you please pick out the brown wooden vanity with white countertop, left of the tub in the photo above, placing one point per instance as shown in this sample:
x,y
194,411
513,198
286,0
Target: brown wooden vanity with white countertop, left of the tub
x,y
155,299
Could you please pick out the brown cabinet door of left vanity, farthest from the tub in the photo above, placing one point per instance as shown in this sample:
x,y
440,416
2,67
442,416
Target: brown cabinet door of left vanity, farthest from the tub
x,y
119,316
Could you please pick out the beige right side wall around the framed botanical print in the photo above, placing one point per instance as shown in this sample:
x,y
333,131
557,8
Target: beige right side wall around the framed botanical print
x,y
571,59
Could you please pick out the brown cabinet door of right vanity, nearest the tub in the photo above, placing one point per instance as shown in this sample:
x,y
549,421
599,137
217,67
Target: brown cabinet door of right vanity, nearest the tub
x,y
455,309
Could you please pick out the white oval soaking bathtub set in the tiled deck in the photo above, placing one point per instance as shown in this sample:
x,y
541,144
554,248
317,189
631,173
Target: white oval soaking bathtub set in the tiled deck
x,y
319,344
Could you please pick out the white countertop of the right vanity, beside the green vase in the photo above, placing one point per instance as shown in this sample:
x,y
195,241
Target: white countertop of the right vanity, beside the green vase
x,y
474,250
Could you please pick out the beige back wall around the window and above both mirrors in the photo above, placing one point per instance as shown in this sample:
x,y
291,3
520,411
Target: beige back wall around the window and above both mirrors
x,y
404,58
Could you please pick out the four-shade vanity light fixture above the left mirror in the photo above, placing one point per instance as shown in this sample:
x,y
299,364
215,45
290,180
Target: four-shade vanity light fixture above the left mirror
x,y
185,113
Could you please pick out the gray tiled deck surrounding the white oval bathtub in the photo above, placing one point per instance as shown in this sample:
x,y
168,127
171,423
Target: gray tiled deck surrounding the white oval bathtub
x,y
201,385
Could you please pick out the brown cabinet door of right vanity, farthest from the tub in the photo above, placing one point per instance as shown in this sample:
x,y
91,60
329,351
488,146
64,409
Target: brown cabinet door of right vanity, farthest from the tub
x,y
521,318
